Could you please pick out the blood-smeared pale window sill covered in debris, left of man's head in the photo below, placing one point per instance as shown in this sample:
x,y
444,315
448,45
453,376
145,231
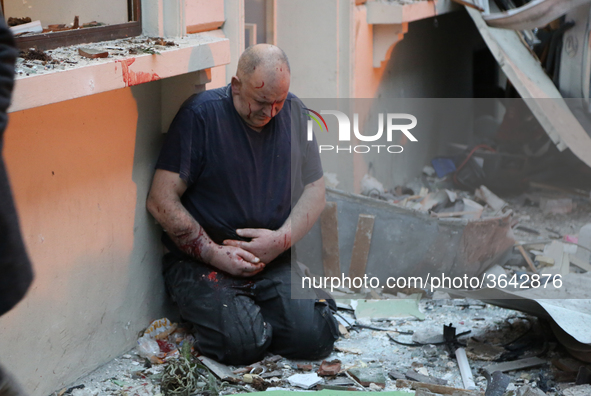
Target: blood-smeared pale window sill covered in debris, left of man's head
x,y
91,76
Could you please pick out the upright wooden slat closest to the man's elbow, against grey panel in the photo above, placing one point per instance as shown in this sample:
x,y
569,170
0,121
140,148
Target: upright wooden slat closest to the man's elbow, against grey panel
x,y
330,240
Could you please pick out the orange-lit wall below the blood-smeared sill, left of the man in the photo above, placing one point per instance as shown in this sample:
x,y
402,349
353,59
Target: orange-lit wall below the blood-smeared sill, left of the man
x,y
80,171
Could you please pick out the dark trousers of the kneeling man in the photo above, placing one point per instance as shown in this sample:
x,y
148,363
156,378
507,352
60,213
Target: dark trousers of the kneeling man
x,y
237,320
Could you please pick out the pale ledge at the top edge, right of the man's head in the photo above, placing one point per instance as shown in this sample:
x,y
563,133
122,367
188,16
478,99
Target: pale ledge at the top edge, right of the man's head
x,y
393,12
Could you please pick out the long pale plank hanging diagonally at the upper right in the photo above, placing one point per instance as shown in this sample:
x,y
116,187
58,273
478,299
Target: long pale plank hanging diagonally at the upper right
x,y
536,88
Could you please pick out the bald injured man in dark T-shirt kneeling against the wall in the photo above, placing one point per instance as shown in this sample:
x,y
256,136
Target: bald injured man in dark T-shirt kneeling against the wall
x,y
234,189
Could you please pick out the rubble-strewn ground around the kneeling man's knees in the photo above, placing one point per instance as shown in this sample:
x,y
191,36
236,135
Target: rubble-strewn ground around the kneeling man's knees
x,y
413,351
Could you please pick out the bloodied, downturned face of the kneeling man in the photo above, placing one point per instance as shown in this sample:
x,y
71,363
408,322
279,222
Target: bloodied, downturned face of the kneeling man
x,y
259,96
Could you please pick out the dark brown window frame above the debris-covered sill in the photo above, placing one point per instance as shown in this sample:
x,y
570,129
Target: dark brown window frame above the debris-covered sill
x,y
56,35
